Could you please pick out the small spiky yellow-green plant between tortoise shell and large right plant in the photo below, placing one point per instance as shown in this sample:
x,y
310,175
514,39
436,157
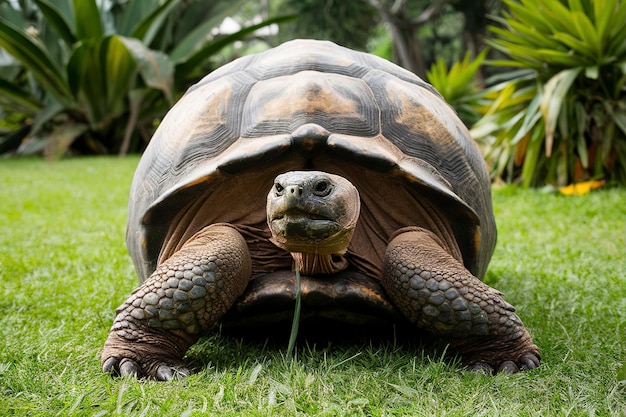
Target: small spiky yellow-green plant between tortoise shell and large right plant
x,y
459,85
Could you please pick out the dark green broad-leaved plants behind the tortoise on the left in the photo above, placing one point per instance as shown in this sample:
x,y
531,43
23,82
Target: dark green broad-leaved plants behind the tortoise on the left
x,y
95,78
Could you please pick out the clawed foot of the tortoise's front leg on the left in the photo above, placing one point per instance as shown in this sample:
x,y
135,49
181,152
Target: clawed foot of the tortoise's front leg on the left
x,y
154,356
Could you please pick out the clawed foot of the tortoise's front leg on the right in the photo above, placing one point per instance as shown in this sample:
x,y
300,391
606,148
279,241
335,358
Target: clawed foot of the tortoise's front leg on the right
x,y
493,356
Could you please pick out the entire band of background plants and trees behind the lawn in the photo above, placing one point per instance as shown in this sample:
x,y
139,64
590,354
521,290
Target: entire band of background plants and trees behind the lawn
x,y
540,83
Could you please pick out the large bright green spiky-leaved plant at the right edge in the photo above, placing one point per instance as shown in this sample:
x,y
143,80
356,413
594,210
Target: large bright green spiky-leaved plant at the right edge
x,y
561,117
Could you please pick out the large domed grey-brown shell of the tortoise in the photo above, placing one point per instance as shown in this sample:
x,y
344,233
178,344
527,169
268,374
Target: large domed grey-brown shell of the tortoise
x,y
310,105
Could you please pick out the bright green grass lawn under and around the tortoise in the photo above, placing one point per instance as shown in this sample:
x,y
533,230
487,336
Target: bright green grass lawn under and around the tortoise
x,y
64,268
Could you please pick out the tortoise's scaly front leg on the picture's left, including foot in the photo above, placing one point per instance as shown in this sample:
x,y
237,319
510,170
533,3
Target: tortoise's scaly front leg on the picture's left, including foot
x,y
178,303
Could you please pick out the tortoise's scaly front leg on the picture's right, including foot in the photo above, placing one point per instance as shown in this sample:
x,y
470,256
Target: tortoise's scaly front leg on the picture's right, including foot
x,y
437,293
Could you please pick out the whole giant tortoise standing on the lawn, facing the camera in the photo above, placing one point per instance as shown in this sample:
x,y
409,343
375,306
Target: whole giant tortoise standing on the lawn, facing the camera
x,y
314,157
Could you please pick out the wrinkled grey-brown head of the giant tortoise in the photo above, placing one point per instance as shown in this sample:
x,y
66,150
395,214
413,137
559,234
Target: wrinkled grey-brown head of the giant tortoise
x,y
312,212
